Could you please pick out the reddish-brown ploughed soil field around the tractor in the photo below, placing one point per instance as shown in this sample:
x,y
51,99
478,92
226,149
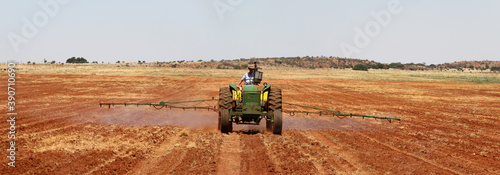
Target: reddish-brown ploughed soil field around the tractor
x,y
447,128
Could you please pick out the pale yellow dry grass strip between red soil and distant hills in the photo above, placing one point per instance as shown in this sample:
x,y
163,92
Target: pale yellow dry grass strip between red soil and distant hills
x,y
269,73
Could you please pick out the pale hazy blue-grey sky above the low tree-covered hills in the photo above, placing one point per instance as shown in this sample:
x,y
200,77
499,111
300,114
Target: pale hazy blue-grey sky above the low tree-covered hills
x,y
430,31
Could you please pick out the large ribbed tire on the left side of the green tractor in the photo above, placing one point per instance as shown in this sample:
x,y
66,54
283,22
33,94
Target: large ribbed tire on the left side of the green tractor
x,y
225,100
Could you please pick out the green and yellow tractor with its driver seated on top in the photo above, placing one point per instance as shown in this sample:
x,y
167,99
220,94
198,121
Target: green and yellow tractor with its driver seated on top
x,y
250,106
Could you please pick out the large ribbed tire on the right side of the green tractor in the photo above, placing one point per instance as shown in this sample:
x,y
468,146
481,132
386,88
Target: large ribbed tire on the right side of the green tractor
x,y
275,106
